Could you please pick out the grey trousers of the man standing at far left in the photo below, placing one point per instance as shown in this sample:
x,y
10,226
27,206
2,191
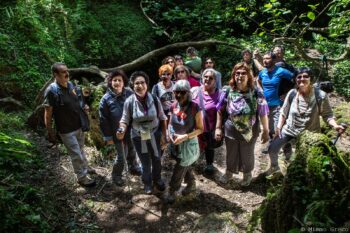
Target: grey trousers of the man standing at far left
x,y
74,142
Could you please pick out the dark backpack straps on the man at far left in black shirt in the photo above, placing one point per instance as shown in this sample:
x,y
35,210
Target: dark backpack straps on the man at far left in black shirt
x,y
84,118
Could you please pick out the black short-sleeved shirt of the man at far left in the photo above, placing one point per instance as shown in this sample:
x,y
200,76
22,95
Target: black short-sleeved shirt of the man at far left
x,y
66,108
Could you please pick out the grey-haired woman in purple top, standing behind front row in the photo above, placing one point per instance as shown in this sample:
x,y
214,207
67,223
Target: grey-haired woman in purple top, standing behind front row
x,y
207,97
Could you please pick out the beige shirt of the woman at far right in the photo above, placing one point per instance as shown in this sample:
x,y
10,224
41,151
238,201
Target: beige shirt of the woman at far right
x,y
303,113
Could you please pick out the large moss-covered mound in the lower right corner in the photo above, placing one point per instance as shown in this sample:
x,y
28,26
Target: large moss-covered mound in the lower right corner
x,y
315,191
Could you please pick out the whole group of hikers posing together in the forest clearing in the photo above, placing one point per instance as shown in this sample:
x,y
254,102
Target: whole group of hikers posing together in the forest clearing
x,y
188,112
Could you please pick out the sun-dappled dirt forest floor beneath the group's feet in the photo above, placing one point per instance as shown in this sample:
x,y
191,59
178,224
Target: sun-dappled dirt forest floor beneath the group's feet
x,y
214,207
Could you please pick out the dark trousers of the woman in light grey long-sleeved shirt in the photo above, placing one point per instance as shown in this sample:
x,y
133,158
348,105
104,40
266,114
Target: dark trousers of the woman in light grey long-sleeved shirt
x,y
151,164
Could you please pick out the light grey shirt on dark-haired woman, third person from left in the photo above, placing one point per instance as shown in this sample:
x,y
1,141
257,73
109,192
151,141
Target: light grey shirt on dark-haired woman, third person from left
x,y
141,118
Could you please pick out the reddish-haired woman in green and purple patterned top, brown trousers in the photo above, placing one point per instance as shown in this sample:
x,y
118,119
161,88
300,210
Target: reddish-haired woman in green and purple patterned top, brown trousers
x,y
245,104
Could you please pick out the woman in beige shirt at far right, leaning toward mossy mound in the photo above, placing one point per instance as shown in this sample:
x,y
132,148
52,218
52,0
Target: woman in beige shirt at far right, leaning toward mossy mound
x,y
301,111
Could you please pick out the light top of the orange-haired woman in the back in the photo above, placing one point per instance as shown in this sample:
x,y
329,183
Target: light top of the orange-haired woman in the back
x,y
165,95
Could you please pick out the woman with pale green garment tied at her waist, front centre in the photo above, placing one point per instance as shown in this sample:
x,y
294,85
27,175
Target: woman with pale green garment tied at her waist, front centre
x,y
185,125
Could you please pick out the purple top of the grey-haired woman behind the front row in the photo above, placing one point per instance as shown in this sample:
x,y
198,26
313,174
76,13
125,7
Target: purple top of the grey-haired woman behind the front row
x,y
209,102
